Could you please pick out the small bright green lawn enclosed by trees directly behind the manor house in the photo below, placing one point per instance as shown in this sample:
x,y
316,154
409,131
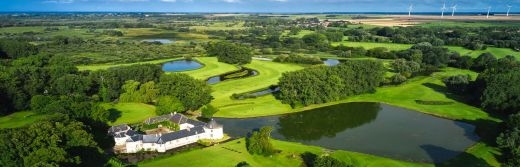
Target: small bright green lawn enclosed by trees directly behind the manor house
x,y
130,112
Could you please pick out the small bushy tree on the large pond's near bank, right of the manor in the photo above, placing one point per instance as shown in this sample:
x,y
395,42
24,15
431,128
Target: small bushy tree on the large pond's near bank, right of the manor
x,y
259,142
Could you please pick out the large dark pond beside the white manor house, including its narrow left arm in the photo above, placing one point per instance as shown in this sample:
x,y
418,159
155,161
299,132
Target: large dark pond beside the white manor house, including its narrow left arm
x,y
371,128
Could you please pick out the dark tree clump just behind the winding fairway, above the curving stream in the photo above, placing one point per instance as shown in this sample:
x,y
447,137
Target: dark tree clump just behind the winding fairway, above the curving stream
x,y
230,53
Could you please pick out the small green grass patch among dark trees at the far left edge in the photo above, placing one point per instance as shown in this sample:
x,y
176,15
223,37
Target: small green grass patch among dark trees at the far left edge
x,y
19,119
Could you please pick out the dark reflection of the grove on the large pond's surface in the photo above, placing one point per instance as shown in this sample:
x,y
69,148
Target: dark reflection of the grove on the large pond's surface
x,y
326,121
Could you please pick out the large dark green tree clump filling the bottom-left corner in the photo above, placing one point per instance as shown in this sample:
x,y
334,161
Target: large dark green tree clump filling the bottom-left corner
x,y
56,141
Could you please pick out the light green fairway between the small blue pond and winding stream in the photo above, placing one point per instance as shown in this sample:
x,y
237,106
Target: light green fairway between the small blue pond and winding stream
x,y
211,68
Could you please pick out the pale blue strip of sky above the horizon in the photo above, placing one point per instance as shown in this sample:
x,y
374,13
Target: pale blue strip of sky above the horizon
x,y
293,6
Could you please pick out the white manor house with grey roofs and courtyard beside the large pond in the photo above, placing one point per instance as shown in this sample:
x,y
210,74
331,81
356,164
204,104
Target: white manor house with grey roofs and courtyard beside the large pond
x,y
129,141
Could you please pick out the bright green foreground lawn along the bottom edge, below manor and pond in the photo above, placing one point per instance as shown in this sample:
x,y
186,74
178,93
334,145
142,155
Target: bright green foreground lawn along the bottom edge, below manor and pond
x,y
233,152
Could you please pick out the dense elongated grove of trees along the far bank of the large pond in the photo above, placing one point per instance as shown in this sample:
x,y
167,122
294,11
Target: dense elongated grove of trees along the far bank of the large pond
x,y
322,84
